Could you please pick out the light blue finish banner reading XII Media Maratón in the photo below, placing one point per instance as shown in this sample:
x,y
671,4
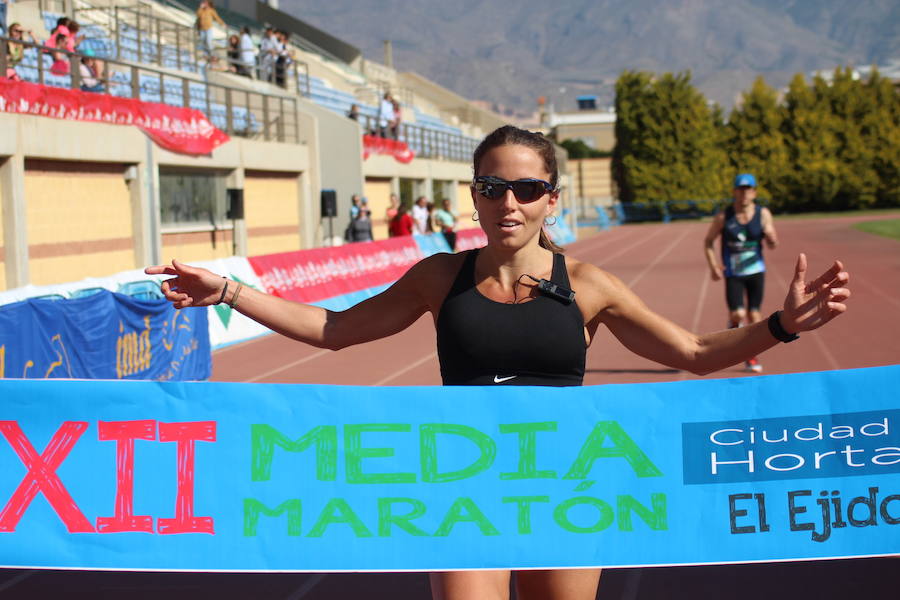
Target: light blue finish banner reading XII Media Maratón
x,y
262,477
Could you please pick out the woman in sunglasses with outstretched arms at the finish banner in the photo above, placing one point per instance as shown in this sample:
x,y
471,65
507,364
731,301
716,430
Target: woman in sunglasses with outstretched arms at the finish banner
x,y
505,315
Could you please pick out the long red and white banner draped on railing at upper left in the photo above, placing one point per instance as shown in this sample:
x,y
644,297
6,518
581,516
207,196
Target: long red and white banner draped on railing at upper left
x,y
183,130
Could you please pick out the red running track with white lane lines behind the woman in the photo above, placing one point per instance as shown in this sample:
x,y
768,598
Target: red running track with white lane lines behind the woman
x,y
665,266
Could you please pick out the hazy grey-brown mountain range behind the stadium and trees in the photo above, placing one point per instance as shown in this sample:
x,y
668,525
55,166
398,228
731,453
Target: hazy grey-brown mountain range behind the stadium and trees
x,y
510,53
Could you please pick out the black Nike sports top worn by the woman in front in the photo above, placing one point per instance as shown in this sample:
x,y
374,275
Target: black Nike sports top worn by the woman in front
x,y
483,342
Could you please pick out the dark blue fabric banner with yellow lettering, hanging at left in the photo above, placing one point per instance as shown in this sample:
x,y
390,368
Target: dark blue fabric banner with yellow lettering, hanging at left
x,y
103,336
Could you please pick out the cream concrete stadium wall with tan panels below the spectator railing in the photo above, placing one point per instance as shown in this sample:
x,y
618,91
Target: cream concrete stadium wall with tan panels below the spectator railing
x,y
82,199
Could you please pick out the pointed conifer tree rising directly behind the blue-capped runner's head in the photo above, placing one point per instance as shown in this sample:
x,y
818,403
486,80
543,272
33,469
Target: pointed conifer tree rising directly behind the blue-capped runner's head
x,y
754,141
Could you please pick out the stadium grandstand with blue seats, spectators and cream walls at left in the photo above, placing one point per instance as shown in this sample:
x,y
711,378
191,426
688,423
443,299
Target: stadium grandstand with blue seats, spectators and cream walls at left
x,y
86,193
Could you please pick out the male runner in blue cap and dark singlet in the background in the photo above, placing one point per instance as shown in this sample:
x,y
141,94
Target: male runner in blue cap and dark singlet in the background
x,y
743,227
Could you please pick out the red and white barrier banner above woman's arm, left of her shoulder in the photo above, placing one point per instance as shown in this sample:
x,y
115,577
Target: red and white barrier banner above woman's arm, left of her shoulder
x,y
320,273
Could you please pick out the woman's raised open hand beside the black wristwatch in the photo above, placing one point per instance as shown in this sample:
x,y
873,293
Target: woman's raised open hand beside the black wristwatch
x,y
810,305
